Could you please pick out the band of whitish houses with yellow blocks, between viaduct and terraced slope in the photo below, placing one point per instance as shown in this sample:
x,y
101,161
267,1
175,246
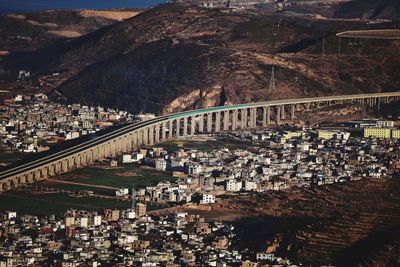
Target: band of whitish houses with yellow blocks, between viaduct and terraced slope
x,y
274,160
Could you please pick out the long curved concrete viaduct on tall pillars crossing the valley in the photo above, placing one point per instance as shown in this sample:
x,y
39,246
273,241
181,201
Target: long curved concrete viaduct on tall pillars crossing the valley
x,y
168,127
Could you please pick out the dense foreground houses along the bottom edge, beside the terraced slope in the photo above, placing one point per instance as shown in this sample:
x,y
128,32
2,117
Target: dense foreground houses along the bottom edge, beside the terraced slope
x,y
121,238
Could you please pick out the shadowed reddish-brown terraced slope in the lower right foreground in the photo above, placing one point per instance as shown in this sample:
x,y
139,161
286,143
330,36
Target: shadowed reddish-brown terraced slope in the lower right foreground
x,y
354,224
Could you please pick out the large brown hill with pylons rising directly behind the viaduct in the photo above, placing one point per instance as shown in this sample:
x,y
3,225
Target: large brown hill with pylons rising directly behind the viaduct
x,y
176,56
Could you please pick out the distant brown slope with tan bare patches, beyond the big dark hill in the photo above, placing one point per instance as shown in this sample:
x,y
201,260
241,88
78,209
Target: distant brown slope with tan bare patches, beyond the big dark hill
x,y
30,31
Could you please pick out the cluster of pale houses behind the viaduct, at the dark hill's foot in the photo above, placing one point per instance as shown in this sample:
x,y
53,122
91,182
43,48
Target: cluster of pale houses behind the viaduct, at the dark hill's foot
x,y
32,123
